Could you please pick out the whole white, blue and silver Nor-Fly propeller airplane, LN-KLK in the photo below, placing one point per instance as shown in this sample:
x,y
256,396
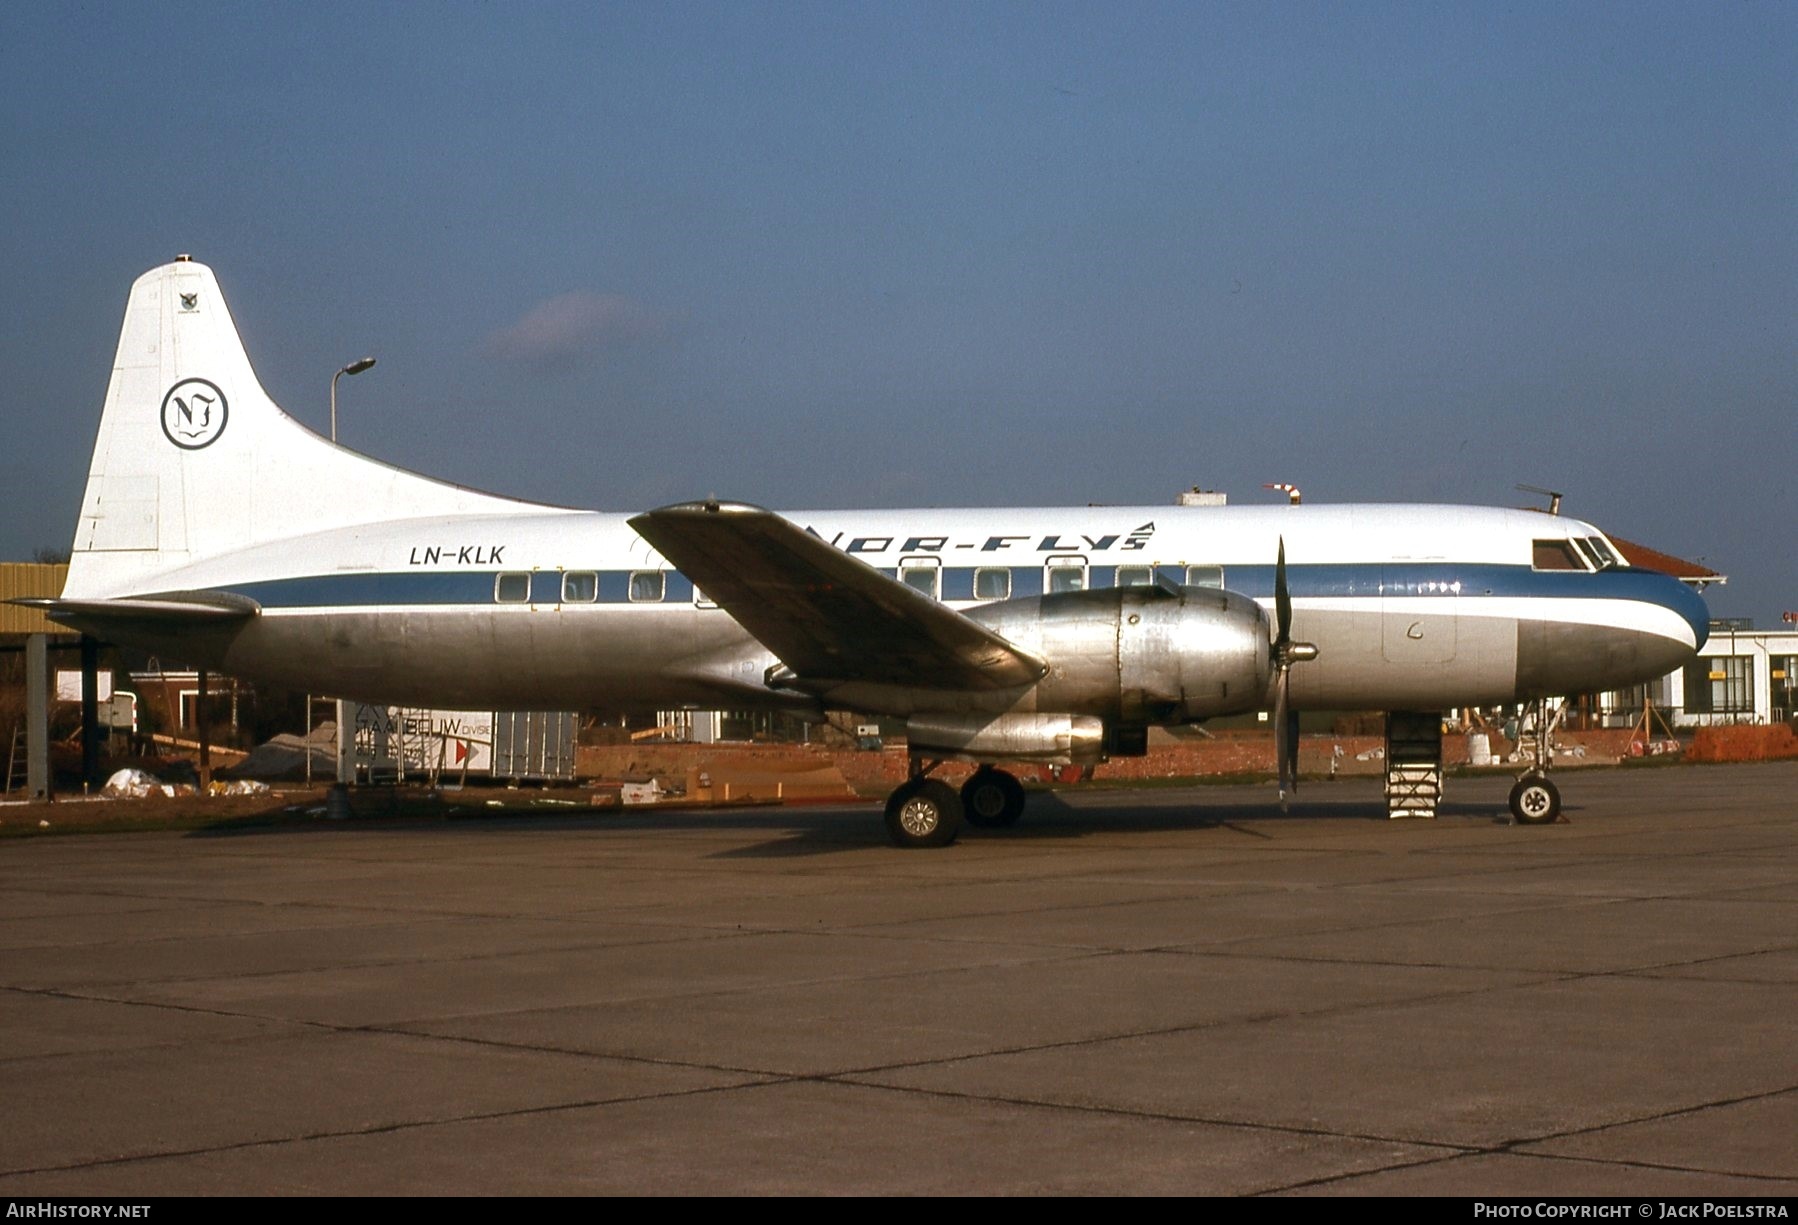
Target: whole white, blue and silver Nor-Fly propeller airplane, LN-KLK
x,y
220,530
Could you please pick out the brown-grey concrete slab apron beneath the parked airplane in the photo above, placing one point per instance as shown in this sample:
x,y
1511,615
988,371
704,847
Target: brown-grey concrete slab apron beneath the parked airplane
x,y
1135,992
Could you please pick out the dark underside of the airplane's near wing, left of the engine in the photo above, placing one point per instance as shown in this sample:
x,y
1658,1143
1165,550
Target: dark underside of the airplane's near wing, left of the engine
x,y
828,616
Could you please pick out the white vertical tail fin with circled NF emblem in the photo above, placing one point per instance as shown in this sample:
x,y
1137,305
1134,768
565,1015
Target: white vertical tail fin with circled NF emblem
x,y
195,460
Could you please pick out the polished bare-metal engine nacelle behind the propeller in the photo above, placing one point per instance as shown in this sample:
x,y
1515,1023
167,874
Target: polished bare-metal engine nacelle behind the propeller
x,y
1139,656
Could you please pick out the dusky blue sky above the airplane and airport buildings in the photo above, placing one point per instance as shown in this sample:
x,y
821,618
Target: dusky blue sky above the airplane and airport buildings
x,y
934,255
